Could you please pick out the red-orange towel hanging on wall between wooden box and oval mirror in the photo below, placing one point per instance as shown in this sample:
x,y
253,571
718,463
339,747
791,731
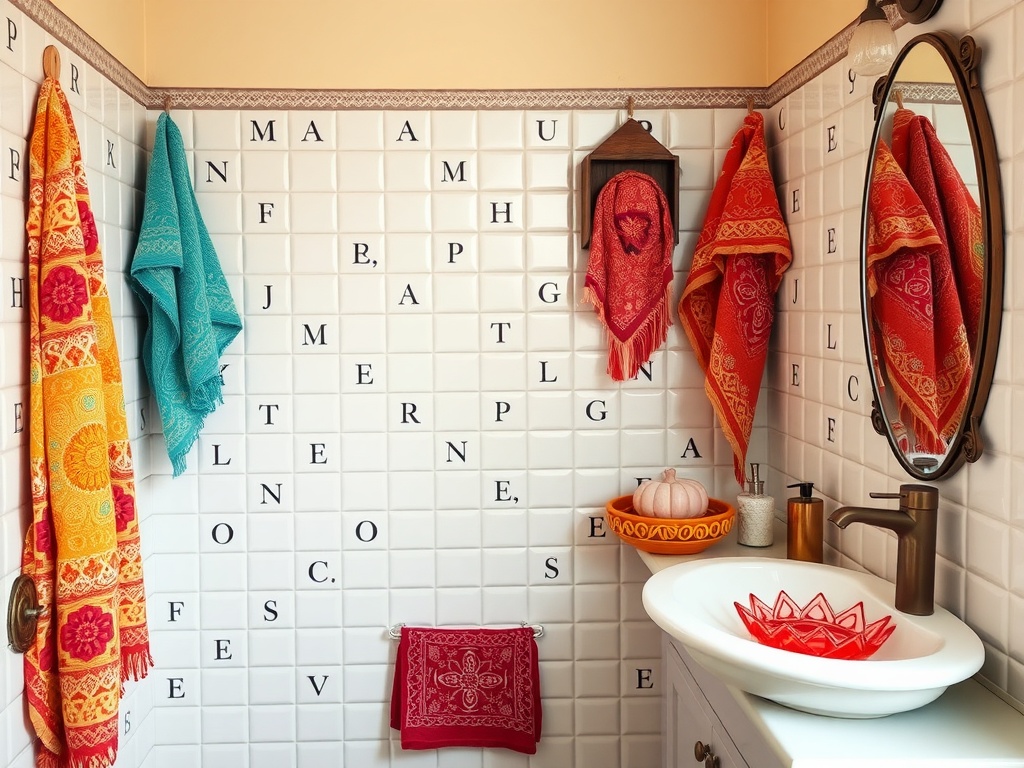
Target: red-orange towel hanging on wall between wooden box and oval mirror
x,y
728,307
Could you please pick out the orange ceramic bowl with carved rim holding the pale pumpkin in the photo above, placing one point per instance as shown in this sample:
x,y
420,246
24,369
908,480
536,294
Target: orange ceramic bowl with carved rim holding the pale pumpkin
x,y
670,536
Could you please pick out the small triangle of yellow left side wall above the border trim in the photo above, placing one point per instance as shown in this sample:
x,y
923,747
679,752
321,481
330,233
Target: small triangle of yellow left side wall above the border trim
x,y
117,25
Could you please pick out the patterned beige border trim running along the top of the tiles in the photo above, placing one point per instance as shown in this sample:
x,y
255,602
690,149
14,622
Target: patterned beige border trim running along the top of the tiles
x,y
78,41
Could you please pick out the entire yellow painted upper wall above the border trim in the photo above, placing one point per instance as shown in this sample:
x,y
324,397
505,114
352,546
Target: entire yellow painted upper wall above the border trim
x,y
411,45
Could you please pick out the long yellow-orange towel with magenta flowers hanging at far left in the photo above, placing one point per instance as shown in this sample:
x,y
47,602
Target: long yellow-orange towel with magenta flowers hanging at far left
x,y
82,548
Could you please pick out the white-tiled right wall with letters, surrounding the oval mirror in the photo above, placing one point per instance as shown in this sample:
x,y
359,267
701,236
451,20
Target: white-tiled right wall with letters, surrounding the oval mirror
x,y
820,391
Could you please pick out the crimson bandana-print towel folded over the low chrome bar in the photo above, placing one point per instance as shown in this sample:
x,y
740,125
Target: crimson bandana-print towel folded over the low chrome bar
x,y
475,688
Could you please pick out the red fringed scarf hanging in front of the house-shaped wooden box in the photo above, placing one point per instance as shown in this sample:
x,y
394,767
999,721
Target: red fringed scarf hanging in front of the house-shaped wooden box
x,y
629,276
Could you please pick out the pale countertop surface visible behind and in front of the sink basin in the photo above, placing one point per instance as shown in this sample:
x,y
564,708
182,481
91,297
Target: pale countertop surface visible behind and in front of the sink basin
x,y
967,724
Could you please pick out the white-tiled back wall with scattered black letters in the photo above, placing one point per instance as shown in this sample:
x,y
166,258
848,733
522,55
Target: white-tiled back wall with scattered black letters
x,y
421,432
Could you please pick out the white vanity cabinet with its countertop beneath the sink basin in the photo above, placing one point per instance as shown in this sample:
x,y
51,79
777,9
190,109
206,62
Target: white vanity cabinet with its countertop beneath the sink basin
x,y
967,728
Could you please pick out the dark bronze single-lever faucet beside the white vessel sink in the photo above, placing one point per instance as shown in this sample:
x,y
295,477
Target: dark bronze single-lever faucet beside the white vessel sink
x,y
915,523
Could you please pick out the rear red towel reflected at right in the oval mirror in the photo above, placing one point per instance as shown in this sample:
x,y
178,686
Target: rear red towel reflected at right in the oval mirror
x,y
956,215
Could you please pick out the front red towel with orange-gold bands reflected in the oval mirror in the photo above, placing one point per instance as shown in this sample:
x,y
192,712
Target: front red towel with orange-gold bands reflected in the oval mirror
x,y
917,320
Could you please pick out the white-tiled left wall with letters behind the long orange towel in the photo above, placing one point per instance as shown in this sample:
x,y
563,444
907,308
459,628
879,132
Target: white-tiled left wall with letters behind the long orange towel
x,y
112,130
